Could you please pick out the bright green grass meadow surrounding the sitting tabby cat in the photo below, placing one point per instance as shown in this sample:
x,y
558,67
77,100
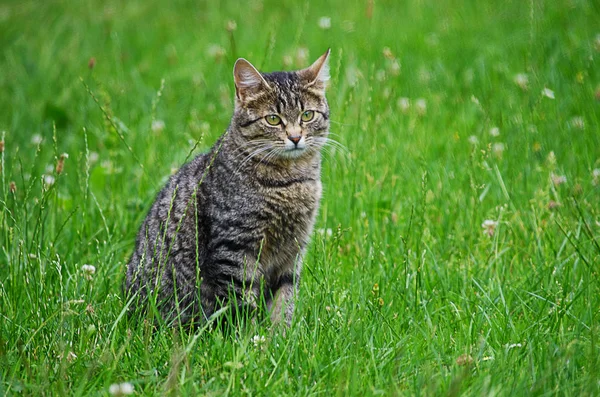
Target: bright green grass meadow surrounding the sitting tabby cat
x,y
407,295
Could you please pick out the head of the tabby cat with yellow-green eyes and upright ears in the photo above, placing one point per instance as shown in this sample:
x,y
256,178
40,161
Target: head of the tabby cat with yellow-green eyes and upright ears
x,y
281,115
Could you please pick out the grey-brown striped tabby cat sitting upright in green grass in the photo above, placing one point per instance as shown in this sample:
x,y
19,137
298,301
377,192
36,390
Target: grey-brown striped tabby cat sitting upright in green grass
x,y
230,228
